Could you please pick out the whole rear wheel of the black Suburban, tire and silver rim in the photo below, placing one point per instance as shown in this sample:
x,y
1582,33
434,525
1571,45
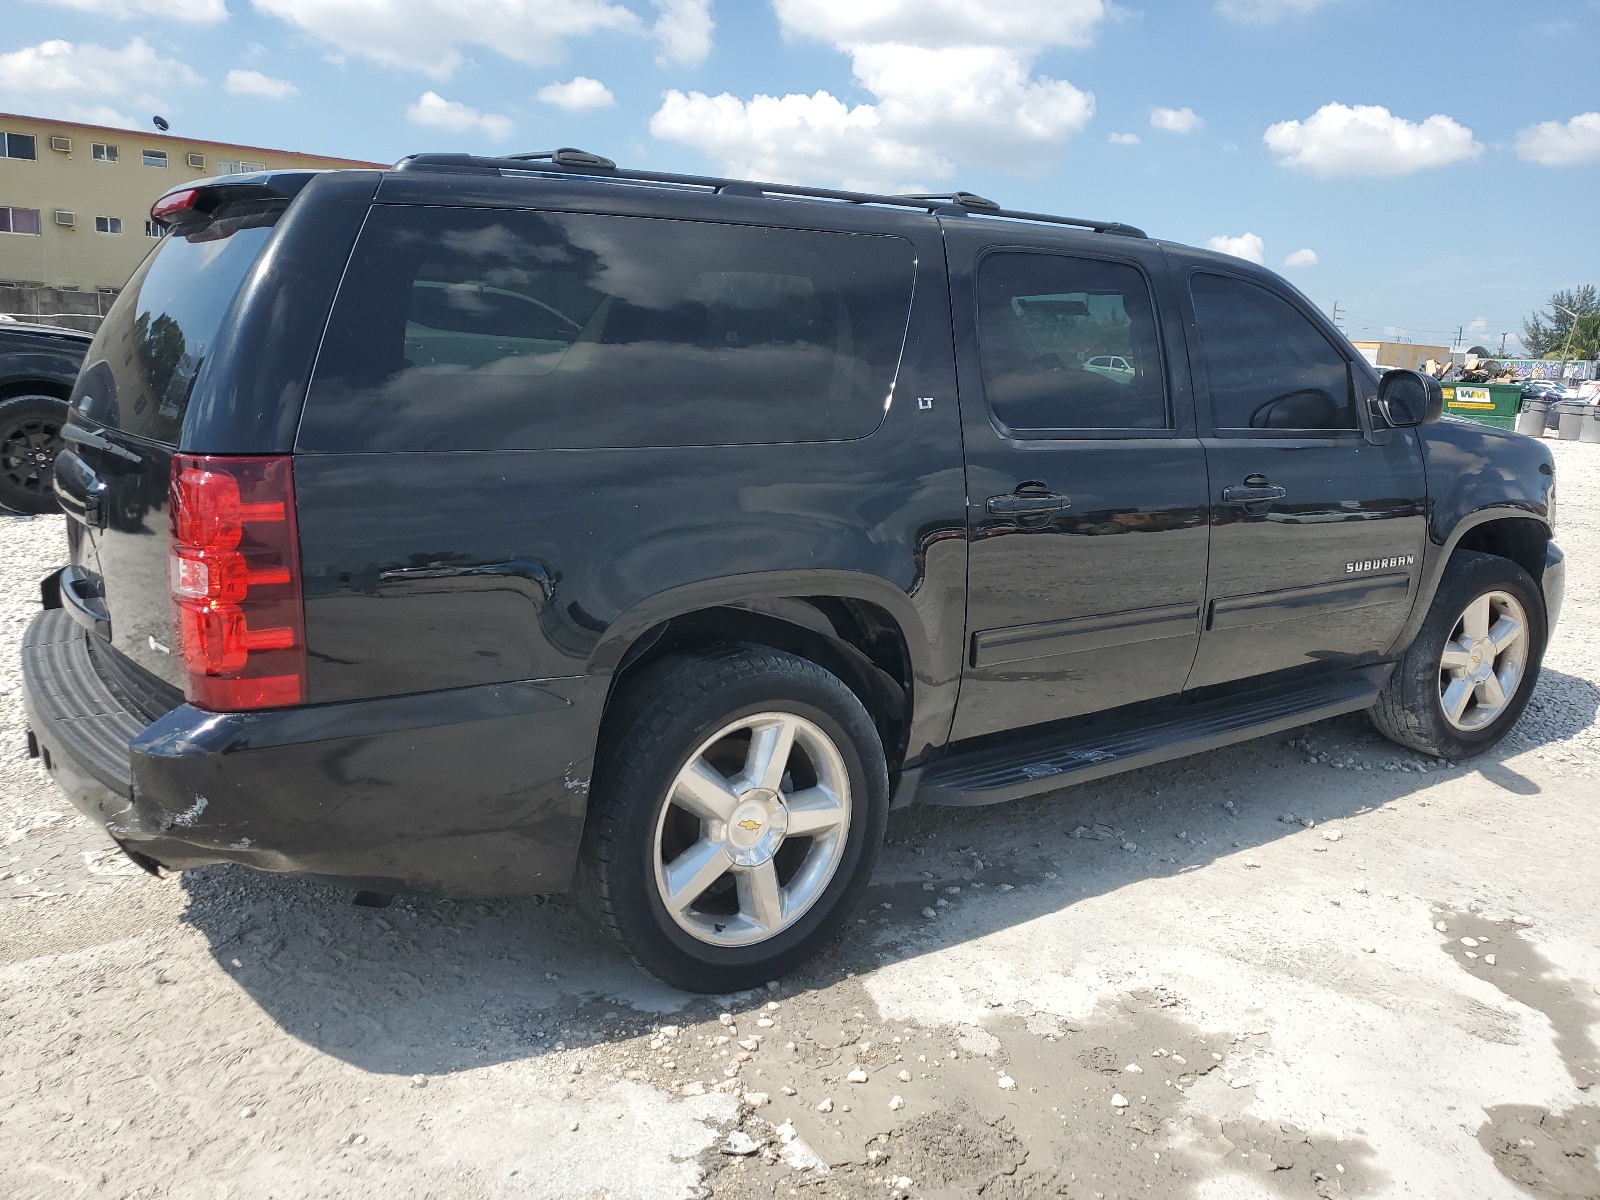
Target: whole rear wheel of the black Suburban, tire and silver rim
x,y
737,817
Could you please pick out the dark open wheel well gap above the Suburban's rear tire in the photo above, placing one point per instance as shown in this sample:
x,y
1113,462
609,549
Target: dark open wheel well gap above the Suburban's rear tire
x,y
857,641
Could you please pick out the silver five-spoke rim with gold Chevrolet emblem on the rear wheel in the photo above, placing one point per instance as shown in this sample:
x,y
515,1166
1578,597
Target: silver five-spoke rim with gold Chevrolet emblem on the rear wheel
x,y
753,830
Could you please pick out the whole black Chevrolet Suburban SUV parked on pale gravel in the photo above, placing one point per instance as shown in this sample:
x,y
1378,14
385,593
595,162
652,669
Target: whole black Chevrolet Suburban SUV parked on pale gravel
x,y
511,526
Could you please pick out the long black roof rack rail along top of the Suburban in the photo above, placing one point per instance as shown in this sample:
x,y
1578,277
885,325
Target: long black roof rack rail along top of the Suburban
x,y
570,161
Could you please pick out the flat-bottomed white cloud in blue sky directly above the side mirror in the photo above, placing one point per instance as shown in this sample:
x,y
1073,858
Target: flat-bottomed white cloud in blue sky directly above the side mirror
x,y
1369,140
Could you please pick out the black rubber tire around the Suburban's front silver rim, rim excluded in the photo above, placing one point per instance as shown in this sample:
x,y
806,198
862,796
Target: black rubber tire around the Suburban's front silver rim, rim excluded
x,y
1410,710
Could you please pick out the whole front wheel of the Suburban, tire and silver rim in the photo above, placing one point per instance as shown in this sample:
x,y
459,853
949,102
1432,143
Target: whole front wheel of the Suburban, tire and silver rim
x,y
1470,673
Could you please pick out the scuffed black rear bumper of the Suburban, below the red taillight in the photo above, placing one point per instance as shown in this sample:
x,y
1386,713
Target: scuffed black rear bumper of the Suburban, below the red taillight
x,y
473,791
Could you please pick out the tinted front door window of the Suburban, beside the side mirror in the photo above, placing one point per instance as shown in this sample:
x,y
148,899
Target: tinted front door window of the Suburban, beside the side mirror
x,y
1266,364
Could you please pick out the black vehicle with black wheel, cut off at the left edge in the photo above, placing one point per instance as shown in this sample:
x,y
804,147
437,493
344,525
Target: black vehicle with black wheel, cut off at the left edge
x,y
39,364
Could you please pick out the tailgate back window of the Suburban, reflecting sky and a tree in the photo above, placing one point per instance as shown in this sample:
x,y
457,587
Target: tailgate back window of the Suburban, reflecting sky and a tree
x,y
145,361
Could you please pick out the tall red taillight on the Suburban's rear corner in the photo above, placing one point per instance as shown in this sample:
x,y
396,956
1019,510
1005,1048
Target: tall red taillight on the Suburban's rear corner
x,y
236,585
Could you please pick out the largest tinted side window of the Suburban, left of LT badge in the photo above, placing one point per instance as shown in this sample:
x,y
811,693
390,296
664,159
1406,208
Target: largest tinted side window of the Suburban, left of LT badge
x,y
519,330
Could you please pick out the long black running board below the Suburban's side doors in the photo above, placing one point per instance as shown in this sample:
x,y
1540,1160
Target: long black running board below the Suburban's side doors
x,y
996,775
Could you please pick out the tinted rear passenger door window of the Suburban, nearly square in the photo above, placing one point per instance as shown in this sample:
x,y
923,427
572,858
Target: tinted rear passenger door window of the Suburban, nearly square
x,y
1070,343
